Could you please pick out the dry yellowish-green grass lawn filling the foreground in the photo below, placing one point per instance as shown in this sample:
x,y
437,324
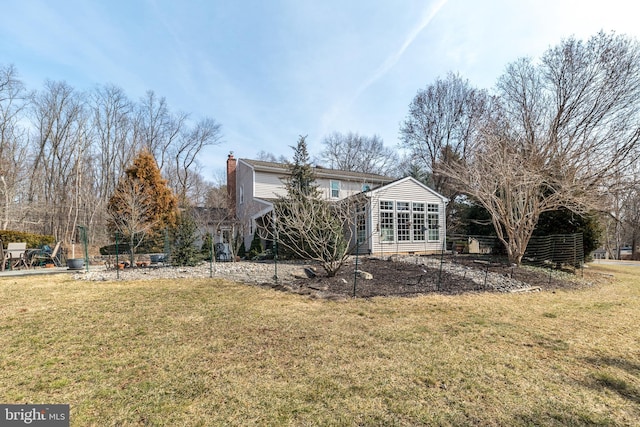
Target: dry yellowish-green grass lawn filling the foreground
x,y
209,352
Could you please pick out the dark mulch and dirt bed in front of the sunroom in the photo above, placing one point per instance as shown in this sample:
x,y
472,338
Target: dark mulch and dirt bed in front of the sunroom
x,y
420,275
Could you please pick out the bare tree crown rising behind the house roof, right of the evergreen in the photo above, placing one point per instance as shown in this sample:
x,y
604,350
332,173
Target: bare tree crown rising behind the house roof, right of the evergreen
x,y
358,153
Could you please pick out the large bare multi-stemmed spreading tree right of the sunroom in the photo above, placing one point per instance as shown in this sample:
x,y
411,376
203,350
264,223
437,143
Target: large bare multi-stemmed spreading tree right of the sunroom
x,y
562,129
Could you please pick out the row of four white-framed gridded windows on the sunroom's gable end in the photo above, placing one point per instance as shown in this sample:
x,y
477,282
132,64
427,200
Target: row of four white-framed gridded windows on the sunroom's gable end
x,y
409,221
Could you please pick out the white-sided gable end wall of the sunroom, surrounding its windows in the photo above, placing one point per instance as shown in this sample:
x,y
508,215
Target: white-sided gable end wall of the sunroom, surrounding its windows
x,y
411,191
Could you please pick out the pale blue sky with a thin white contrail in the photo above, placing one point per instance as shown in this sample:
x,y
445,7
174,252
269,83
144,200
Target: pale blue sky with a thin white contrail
x,y
270,71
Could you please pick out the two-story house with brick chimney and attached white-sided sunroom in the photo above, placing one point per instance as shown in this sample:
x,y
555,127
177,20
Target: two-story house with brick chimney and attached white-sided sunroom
x,y
398,216
